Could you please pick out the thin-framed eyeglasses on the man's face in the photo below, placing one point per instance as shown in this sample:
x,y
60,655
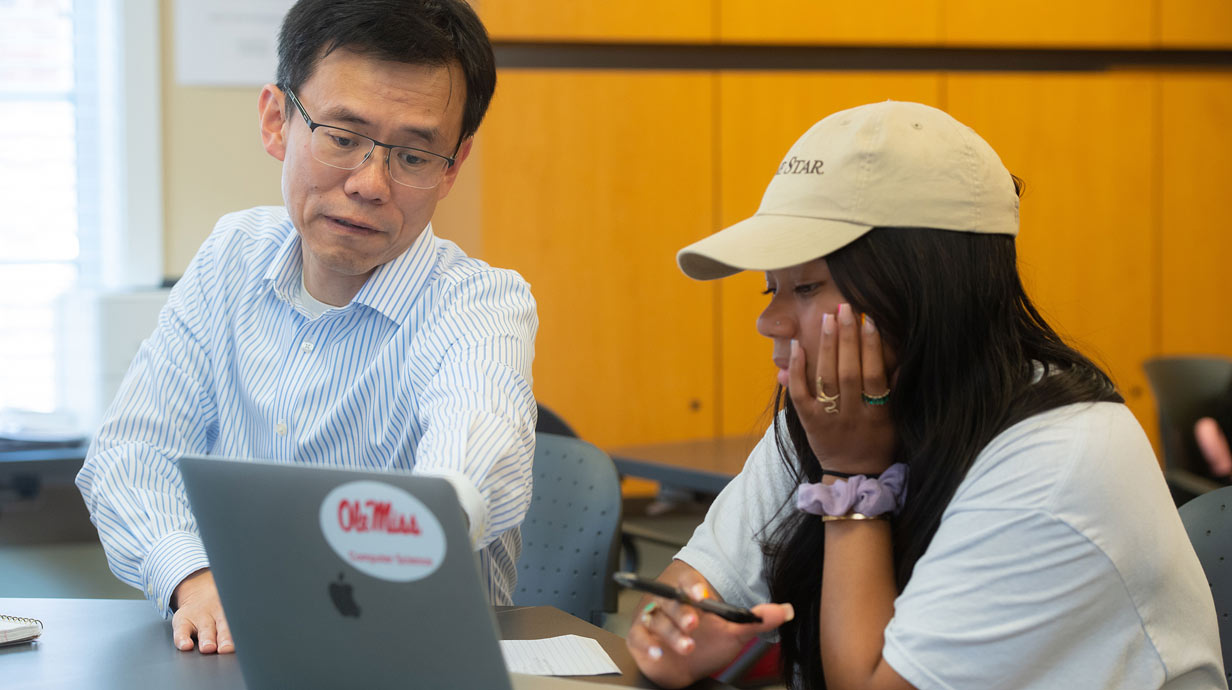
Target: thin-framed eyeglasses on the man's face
x,y
347,151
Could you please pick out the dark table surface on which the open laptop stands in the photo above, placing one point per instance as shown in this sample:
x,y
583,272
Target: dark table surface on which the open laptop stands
x,y
111,644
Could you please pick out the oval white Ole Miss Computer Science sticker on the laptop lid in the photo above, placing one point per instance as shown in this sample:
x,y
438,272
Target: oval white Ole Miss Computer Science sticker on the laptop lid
x,y
383,532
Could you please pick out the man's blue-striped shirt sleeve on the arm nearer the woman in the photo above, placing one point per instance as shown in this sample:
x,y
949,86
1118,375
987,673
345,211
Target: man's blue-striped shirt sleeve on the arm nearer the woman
x,y
479,413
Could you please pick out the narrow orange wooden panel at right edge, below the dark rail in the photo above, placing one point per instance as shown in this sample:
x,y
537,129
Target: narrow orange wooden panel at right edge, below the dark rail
x,y
1197,243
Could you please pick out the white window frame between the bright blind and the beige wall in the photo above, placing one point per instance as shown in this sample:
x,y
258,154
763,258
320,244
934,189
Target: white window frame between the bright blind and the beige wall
x,y
119,68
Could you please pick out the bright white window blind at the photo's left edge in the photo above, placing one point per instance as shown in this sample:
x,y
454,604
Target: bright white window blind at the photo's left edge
x,y
49,183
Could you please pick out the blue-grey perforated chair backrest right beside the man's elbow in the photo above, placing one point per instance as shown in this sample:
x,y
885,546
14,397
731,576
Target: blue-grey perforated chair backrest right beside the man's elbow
x,y
571,537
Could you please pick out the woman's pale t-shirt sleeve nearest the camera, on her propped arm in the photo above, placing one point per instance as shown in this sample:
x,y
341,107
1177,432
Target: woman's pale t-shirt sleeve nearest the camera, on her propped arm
x,y
1013,593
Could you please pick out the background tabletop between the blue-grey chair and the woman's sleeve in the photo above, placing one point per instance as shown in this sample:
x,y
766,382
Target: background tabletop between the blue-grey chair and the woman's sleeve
x,y
703,465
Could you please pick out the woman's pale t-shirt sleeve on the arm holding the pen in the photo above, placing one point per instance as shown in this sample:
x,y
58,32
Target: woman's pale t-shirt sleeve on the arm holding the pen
x,y
726,549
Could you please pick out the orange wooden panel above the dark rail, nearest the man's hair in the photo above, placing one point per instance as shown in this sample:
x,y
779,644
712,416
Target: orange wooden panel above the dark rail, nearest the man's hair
x,y
677,22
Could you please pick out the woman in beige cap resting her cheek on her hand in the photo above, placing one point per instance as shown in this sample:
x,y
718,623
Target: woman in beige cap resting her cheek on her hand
x,y
950,496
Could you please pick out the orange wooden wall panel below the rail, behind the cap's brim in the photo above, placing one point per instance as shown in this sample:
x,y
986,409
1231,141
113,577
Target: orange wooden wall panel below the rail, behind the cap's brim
x,y
761,116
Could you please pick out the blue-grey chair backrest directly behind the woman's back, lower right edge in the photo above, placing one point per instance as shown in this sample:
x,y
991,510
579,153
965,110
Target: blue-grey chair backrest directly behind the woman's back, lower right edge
x,y
1209,524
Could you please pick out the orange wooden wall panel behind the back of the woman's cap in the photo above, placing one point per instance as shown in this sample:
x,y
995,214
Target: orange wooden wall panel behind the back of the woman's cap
x,y
1085,146
